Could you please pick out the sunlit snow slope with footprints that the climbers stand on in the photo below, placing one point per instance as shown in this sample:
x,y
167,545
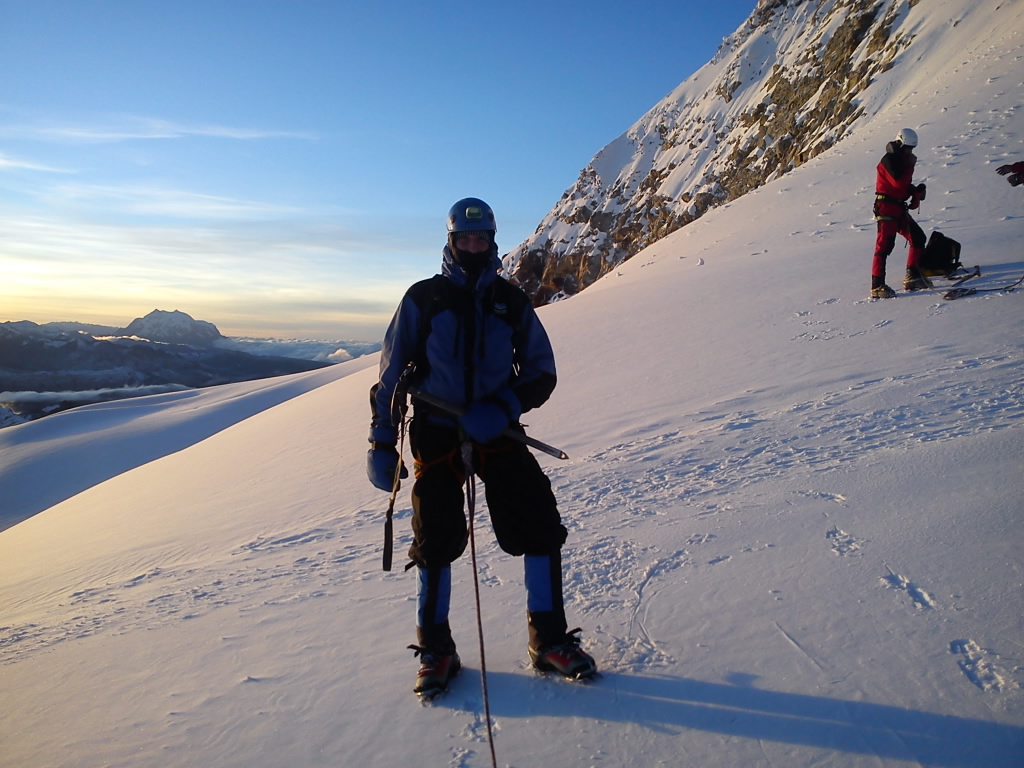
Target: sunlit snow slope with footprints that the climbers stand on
x,y
794,514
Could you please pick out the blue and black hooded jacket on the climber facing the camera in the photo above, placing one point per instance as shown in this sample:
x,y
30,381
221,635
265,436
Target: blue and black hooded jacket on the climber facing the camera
x,y
468,343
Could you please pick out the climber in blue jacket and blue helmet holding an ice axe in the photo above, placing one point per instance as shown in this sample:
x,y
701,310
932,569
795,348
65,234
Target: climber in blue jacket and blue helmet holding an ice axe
x,y
470,338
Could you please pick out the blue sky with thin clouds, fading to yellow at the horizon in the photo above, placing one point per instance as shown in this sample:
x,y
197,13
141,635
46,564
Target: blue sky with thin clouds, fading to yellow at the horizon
x,y
284,168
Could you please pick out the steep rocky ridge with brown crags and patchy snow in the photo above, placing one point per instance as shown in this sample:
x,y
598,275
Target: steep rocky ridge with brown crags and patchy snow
x,y
792,82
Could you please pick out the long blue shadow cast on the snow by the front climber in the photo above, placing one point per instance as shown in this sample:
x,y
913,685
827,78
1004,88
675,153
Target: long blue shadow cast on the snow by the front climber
x,y
858,728
